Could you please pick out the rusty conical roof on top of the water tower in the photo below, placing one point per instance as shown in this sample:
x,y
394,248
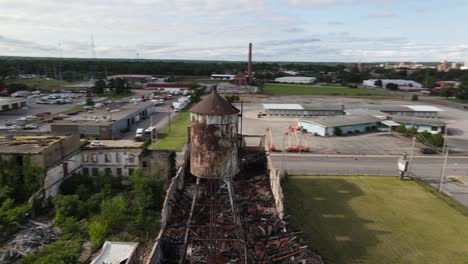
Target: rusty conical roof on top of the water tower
x,y
214,104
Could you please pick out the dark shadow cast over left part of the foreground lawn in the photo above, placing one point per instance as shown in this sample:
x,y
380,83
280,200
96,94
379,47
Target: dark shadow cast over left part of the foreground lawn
x,y
321,209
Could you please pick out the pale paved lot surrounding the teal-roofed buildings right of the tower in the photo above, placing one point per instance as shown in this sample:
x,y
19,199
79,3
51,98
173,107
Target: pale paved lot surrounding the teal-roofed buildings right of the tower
x,y
381,143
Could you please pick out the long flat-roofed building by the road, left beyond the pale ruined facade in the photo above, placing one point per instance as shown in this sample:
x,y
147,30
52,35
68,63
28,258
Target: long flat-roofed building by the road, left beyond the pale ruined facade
x,y
109,123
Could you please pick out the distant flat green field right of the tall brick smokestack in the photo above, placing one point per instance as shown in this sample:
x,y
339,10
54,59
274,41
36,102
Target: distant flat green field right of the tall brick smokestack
x,y
294,89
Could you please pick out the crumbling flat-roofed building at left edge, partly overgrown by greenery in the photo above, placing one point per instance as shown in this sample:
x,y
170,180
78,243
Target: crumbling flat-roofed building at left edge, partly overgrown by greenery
x,y
57,156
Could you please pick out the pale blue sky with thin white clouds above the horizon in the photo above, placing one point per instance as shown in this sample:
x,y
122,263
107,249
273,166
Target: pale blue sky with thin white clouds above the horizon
x,y
280,30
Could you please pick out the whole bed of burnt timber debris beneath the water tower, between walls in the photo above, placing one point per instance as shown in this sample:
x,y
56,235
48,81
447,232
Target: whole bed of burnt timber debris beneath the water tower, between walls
x,y
266,238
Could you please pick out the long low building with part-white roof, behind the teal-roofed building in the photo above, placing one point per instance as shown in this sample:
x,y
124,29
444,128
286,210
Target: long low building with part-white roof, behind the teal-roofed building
x,y
303,110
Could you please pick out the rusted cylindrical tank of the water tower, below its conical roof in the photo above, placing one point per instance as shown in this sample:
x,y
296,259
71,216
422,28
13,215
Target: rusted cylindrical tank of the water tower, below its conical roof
x,y
214,145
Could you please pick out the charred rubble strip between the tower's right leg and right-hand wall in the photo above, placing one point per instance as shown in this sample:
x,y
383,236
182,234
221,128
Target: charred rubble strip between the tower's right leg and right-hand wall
x,y
268,237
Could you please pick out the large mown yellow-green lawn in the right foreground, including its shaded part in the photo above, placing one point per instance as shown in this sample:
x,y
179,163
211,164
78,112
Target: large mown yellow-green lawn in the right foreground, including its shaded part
x,y
377,220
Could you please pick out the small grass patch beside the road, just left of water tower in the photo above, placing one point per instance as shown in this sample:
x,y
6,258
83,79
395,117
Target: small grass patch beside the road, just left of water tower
x,y
176,138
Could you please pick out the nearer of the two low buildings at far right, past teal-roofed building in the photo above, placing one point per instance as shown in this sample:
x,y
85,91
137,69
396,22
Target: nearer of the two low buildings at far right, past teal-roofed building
x,y
431,125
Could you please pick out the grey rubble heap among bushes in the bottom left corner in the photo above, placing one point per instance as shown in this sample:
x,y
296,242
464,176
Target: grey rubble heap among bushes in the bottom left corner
x,y
27,241
